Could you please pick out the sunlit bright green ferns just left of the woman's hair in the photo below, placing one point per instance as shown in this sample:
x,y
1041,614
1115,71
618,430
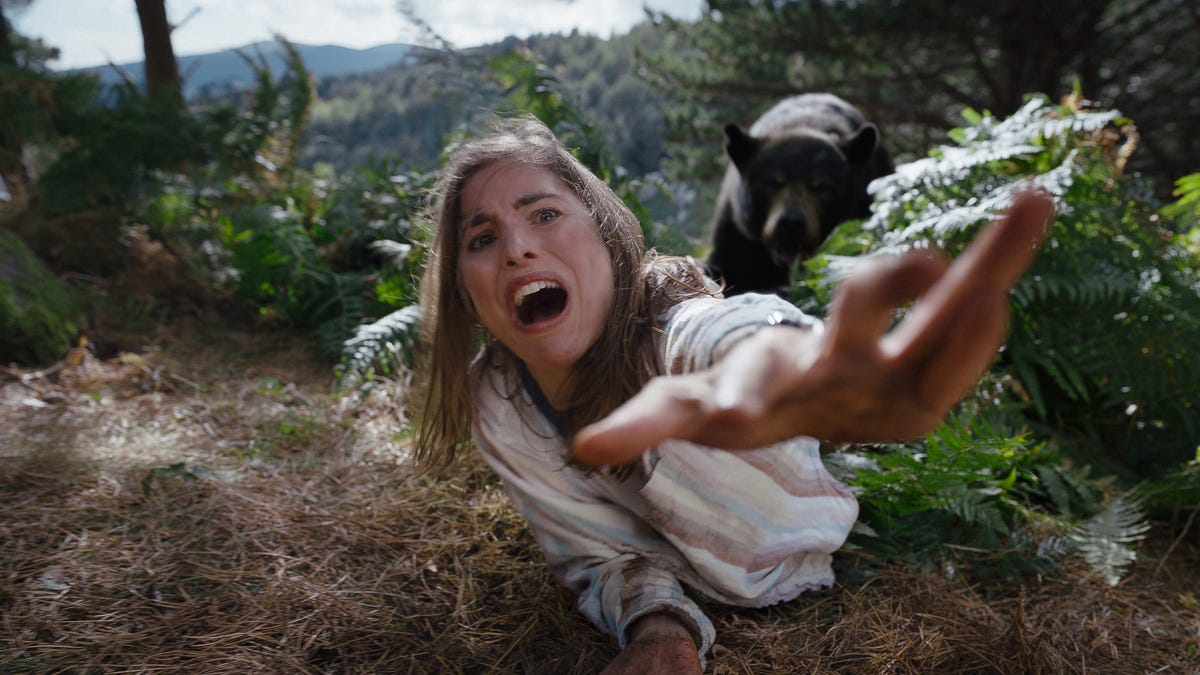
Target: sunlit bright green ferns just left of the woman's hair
x,y
325,254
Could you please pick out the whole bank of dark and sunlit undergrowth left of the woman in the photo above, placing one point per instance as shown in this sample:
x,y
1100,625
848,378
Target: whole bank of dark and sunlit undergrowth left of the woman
x,y
219,184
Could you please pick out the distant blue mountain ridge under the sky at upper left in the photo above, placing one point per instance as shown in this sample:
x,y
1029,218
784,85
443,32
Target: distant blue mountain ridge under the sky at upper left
x,y
220,71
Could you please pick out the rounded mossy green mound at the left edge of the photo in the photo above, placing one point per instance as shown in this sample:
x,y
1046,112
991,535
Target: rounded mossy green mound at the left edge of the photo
x,y
40,316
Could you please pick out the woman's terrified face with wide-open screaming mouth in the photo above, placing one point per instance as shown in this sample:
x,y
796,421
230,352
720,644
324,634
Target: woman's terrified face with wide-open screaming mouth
x,y
536,268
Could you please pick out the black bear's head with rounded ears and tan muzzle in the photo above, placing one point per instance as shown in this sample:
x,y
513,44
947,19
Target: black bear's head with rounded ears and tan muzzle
x,y
797,188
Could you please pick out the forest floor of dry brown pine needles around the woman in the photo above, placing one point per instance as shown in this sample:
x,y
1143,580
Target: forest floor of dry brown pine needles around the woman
x,y
211,504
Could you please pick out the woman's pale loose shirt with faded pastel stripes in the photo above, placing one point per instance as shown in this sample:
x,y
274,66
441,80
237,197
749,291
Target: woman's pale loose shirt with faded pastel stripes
x,y
748,529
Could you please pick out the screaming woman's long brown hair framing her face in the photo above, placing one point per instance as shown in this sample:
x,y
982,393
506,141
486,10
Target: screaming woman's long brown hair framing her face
x,y
619,363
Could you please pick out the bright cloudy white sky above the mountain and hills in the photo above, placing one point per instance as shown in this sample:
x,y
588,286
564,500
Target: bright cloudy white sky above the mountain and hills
x,y
92,33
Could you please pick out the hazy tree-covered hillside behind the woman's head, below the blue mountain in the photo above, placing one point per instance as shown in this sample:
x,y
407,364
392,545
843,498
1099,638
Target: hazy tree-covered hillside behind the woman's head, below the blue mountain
x,y
406,112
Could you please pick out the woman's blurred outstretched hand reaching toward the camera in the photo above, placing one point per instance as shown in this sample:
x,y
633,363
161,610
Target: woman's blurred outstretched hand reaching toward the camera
x,y
854,381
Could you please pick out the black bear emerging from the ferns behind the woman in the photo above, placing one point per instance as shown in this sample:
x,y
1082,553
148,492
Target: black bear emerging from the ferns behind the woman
x,y
801,171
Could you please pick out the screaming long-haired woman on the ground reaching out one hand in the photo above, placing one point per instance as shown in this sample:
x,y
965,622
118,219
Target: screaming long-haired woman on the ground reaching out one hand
x,y
638,361
